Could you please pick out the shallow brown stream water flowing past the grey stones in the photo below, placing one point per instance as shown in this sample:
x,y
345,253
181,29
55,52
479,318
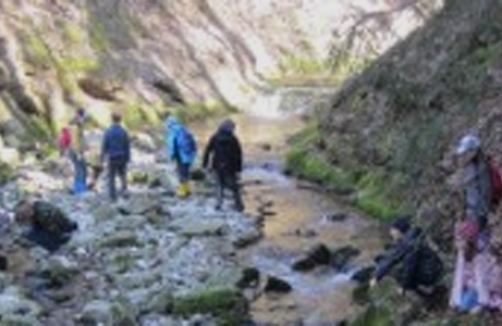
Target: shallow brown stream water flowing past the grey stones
x,y
295,221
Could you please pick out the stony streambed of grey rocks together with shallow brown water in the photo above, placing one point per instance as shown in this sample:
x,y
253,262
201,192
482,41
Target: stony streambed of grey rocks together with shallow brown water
x,y
152,259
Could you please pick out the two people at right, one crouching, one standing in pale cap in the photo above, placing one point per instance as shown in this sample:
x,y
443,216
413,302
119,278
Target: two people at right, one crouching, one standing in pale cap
x,y
477,273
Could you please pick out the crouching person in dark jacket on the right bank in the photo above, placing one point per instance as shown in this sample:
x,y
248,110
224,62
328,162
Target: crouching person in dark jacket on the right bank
x,y
420,267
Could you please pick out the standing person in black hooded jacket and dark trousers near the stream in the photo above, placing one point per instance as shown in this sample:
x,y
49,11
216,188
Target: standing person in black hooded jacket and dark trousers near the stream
x,y
223,156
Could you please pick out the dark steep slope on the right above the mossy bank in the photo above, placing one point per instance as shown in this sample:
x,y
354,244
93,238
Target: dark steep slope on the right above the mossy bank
x,y
398,121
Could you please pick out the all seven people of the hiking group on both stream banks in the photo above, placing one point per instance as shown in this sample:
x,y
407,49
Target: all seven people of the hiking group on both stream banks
x,y
477,275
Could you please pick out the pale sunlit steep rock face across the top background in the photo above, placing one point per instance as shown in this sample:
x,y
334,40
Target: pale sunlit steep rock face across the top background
x,y
104,55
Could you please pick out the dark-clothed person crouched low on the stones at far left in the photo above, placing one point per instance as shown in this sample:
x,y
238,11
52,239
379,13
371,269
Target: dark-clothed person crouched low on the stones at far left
x,y
48,225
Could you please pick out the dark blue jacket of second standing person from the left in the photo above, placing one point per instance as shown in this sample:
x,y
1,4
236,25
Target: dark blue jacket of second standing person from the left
x,y
116,145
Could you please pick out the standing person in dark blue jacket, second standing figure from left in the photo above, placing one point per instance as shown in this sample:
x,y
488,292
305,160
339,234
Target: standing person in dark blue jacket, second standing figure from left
x,y
116,150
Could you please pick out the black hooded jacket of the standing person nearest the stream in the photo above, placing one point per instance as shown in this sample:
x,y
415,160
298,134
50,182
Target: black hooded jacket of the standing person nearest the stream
x,y
223,153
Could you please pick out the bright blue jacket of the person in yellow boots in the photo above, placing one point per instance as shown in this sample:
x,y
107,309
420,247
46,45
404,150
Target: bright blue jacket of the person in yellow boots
x,y
175,152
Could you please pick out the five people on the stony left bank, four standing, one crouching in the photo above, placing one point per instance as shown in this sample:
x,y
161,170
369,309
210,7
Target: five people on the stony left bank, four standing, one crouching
x,y
48,226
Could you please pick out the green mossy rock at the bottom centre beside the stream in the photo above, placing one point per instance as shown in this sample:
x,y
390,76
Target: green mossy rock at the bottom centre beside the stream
x,y
228,306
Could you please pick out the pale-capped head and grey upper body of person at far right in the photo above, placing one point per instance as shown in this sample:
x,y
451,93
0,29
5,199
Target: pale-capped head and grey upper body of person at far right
x,y
477,183
